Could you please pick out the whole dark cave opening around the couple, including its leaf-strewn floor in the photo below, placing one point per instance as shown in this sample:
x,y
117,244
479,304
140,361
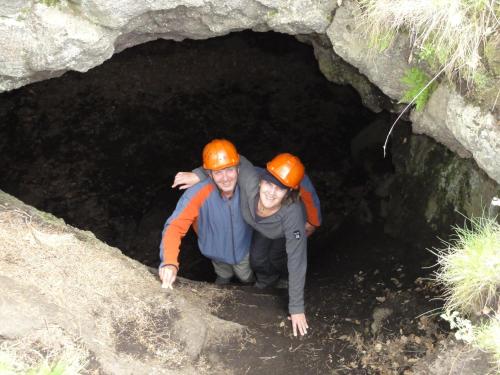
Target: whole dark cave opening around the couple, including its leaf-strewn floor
x,y
101,149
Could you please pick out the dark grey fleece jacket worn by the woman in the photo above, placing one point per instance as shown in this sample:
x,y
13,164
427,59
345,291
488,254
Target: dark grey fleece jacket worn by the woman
x,y
288,222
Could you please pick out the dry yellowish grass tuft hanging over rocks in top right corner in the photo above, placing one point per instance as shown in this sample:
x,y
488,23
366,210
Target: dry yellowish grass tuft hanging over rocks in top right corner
x,y
448,33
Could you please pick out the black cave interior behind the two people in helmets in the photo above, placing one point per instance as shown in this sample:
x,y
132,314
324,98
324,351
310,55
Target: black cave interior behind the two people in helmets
x,y
100,149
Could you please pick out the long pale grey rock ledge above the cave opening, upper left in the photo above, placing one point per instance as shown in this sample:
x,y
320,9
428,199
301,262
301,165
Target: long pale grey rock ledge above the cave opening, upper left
x,y
39,42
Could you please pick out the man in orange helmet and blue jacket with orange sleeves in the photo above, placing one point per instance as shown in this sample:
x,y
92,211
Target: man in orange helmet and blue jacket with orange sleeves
x,y
213,208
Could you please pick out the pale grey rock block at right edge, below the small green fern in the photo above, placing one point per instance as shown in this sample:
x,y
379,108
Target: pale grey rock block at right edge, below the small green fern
x,y
462,127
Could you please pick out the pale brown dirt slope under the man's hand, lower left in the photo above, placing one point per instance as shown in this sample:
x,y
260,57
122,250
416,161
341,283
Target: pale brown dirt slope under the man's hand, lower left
x,y
66,296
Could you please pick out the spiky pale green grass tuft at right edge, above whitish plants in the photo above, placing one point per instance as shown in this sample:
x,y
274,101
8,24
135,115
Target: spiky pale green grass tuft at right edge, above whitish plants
x,y
469,267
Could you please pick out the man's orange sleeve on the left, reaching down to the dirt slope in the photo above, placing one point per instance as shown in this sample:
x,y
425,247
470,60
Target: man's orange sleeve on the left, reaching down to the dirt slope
x,y
178,225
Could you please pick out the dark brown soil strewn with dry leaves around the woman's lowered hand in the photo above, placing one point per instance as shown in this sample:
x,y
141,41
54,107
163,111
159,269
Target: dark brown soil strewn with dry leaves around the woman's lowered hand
x,y
358,272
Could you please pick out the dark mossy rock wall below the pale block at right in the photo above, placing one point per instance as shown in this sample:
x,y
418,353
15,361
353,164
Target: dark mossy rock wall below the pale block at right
x,y
434,189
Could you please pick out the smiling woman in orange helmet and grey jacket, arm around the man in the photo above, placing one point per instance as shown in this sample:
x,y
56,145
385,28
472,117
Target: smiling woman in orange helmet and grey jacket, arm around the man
x,y
270,204
